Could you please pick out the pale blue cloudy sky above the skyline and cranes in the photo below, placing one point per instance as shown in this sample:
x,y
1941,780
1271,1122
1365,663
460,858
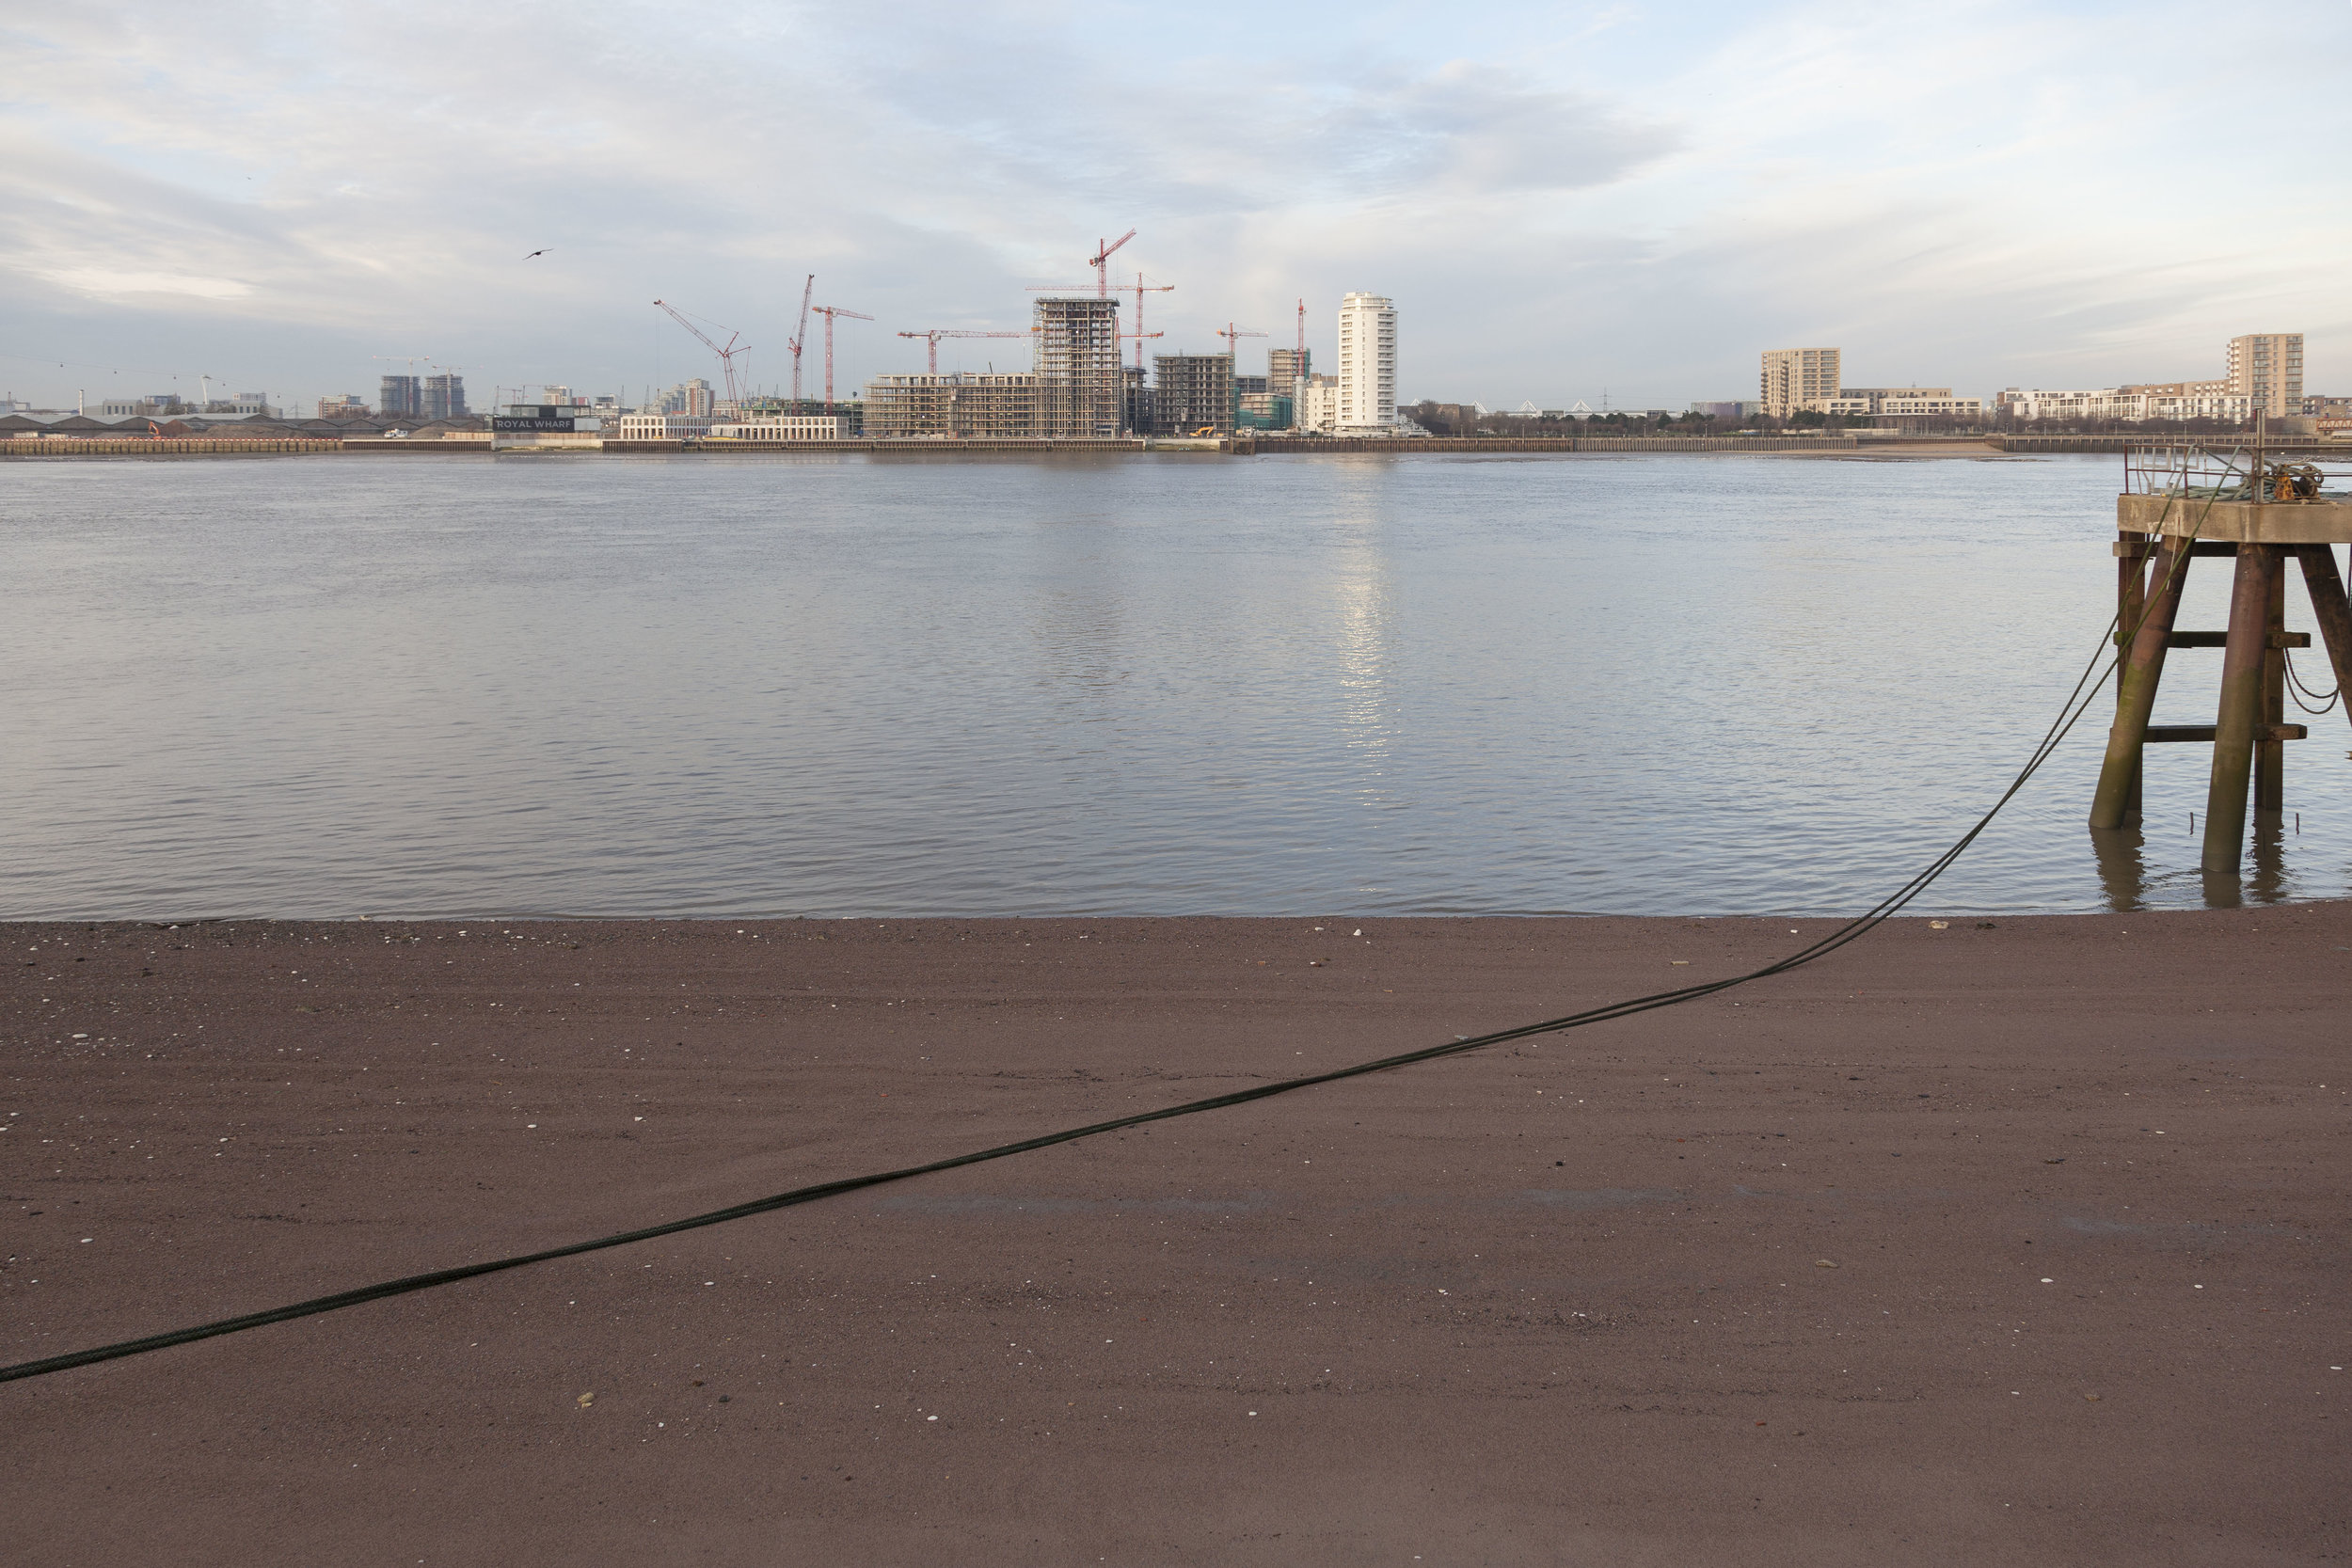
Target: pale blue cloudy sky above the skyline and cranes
x,y
1565,201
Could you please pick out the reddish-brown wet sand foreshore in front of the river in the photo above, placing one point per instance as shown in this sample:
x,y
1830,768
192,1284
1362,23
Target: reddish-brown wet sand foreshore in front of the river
x,y
2014,1245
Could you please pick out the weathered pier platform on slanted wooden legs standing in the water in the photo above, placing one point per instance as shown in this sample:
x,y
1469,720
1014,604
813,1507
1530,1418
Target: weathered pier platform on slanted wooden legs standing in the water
x,y
2259,509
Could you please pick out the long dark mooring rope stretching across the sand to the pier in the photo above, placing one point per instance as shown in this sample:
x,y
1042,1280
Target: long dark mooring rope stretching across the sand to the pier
x,y
2113,652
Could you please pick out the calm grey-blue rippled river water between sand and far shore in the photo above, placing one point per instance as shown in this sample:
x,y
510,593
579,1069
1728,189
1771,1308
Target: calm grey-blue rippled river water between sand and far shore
x,y
846,685
